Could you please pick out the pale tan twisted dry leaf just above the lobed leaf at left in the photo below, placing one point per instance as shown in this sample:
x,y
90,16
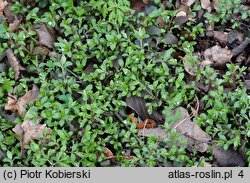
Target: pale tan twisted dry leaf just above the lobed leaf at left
x,y
15,105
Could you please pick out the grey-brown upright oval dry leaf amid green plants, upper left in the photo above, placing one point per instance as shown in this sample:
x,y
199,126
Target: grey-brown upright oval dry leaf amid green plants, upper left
x,y
46,35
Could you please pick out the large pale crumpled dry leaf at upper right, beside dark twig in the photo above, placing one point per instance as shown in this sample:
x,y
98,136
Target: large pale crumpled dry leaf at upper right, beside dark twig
x,y
220,56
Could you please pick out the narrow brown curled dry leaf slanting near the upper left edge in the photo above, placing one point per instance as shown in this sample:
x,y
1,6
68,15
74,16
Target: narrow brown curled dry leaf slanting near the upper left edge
x,y
14,63
